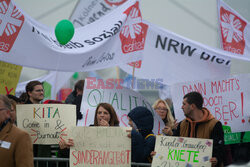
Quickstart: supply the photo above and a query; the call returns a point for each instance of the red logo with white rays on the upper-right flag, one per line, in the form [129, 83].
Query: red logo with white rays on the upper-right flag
[232, 30]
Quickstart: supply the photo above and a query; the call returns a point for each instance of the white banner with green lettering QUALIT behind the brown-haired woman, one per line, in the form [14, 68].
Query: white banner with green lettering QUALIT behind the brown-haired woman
[122, 99]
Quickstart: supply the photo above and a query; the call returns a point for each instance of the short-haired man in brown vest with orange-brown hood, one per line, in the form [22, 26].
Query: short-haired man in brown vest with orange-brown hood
[200, 123]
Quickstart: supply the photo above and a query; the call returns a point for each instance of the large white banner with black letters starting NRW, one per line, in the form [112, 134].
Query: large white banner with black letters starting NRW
[175, 59]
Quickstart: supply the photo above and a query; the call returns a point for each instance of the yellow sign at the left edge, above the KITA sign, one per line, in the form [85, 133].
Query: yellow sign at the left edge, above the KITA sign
[9, 77]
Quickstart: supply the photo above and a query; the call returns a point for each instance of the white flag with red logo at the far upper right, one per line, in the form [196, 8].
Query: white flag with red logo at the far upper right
[234, 30]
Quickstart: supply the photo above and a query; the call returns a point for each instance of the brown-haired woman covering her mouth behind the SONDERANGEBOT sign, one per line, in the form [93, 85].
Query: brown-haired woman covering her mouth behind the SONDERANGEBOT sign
[105, 115]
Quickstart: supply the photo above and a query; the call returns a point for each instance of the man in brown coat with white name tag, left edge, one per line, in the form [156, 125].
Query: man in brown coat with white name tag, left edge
[15, 144]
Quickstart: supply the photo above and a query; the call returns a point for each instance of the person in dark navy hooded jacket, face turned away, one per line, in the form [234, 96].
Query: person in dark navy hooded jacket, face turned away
[142, 138]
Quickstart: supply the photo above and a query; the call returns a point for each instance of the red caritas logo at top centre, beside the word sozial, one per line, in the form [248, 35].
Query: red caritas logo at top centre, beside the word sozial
[133, 33]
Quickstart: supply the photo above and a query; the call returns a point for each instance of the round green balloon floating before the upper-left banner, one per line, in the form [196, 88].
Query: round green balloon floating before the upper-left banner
[64, 31]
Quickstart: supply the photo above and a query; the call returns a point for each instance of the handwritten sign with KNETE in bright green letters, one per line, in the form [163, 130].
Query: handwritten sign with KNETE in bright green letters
[182, 151]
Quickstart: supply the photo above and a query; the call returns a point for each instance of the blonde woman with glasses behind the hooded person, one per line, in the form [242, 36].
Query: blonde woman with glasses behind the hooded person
[163, 110]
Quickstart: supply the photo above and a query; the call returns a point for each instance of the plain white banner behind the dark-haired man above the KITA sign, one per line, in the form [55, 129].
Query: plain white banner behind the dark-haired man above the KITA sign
[56, 80]
